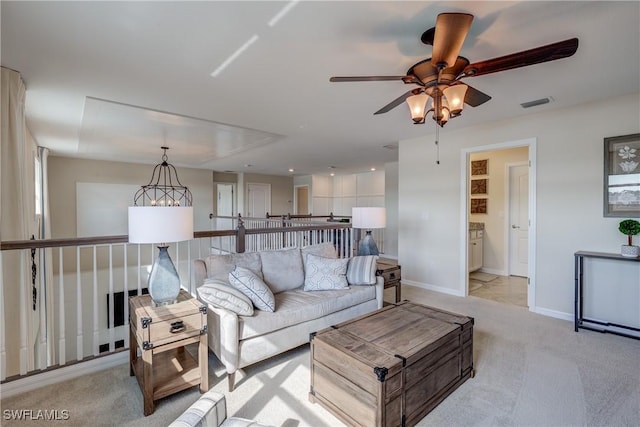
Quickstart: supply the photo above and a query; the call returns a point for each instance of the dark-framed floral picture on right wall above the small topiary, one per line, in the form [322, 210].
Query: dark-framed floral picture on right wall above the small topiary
[622, 176]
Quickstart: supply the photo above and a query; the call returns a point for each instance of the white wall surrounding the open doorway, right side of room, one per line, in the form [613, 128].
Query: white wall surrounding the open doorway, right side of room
[569, 196]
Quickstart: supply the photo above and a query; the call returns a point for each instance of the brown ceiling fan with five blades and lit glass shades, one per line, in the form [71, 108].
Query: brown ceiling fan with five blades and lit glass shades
[439, 77]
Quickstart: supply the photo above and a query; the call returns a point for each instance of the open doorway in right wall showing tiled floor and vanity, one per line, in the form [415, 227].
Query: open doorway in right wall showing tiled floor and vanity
[499, 222]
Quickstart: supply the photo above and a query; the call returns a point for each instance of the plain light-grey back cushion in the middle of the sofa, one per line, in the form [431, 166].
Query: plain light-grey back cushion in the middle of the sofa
[282, 270]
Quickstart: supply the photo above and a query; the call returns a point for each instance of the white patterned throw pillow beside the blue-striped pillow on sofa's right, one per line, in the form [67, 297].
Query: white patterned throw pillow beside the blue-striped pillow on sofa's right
[323, 274]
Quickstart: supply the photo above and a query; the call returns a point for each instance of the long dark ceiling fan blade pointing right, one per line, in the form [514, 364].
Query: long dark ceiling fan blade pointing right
[537, 55]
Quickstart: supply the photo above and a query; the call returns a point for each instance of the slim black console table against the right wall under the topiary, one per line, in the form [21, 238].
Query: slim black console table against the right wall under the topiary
[596, 325]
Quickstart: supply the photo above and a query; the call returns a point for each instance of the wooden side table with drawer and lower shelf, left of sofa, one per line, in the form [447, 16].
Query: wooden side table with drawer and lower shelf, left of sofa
[161, 334]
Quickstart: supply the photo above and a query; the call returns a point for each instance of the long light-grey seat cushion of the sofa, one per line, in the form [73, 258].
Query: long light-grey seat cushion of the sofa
[298, 306]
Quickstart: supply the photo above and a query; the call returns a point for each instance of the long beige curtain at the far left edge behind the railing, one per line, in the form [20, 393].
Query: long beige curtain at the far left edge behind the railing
[20, 322]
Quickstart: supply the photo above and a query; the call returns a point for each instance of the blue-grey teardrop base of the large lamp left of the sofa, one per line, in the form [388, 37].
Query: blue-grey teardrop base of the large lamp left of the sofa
[164, 281]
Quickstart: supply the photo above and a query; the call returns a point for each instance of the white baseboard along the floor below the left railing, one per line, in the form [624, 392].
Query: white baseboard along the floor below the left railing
[54, 376]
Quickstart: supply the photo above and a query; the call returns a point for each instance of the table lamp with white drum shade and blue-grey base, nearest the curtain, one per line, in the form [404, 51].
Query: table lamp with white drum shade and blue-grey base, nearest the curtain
[161, 225]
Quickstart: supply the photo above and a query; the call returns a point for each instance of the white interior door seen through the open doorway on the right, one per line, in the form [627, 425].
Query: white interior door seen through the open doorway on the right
[519, 220]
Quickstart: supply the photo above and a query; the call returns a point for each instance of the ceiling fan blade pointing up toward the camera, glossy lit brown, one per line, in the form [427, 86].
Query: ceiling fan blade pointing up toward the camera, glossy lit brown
[451, 30]
